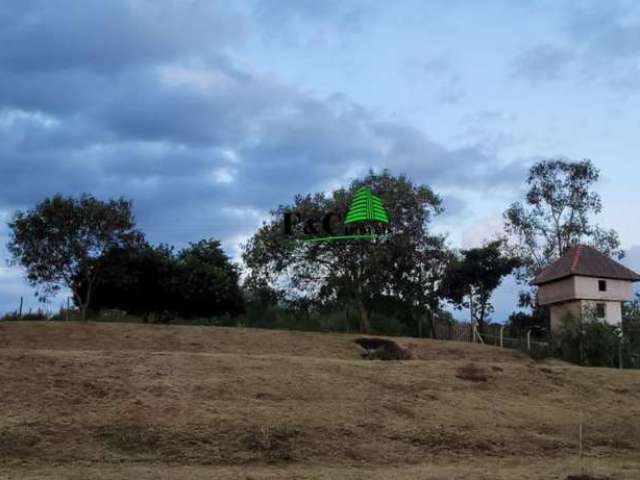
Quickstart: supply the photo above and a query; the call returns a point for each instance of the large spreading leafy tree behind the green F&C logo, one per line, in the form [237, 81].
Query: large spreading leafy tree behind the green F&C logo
[351, 272]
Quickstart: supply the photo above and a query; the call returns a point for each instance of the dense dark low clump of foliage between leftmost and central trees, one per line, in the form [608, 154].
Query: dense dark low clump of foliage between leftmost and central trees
[199, 281]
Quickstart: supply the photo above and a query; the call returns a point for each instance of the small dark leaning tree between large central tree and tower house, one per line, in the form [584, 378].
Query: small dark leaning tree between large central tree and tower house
[471, 279]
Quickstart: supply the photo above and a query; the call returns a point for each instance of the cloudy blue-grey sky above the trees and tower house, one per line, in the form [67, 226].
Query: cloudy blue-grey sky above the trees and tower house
[209, 114]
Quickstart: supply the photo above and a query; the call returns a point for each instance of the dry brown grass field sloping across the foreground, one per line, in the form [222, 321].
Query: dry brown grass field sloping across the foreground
[112, 401]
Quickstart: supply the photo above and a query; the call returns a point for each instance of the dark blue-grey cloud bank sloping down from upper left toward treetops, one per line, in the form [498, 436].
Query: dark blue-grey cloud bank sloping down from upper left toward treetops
[152, 108]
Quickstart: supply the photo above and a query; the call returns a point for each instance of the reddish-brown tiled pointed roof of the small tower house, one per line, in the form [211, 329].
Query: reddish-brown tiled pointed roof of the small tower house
[586, 261]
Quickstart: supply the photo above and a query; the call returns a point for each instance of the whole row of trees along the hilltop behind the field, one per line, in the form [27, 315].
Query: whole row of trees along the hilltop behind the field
[93, 248]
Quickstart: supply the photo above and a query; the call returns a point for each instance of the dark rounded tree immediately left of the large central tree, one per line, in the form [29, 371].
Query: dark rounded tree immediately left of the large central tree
[207, 281]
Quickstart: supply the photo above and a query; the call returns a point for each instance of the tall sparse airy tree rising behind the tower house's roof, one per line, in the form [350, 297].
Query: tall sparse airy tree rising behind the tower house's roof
[556, 215]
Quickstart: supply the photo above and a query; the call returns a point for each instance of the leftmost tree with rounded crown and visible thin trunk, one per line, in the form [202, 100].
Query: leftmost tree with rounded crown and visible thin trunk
[60, 240]
